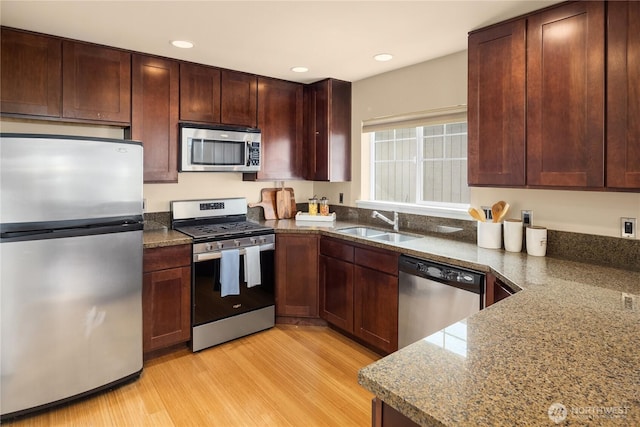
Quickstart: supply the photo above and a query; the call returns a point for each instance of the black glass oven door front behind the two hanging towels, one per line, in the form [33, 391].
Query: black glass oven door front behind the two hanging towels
[209, 306]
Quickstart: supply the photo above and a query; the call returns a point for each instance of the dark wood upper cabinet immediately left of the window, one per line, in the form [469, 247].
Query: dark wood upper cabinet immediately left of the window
[328, 130]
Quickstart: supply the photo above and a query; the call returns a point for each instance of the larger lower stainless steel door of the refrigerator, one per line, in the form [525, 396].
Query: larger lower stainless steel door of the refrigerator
[71, 314]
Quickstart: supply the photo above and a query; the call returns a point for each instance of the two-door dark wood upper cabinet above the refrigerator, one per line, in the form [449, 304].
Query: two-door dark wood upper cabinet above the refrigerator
[46, 76]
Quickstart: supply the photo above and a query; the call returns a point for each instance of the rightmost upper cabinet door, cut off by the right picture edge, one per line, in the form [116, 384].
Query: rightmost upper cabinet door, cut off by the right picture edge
[623, 95]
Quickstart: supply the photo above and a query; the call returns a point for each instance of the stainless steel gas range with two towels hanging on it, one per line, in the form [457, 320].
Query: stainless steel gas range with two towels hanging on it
[232, 274]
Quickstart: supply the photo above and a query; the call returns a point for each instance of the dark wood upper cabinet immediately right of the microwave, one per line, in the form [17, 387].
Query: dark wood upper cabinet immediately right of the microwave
[280, 118]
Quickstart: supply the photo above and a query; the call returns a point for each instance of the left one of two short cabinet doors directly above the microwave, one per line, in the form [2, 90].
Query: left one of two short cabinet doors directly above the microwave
[199, 93]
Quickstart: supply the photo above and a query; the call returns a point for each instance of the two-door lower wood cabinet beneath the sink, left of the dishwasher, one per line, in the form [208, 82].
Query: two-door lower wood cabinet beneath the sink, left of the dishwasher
[359, 291]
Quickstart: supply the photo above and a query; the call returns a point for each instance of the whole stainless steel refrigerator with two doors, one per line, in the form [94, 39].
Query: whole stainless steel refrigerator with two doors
[71, 268]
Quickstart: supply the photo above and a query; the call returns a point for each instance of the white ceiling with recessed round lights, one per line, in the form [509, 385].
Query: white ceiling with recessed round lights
[332, 38]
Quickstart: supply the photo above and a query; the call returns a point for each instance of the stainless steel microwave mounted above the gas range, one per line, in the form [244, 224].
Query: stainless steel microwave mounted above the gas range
[219, 148]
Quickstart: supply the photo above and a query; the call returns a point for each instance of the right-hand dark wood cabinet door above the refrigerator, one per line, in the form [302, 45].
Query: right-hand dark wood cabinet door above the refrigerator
[96, 83]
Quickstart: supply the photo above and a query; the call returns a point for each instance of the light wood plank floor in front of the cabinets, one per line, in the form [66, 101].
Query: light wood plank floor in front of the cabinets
[286, 376]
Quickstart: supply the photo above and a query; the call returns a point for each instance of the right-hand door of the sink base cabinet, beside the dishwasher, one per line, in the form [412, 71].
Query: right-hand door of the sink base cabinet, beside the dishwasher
[376, 308]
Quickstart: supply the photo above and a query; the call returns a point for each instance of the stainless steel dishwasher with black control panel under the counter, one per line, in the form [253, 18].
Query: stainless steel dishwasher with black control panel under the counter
[433, 296]
